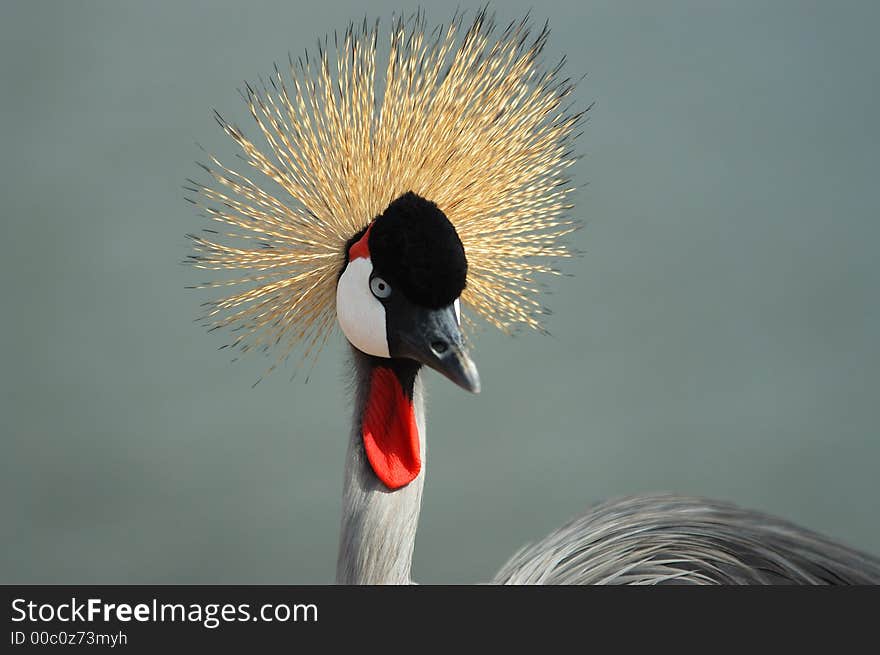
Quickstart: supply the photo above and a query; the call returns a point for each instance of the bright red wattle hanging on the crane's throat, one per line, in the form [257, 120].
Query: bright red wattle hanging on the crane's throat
[390, 433]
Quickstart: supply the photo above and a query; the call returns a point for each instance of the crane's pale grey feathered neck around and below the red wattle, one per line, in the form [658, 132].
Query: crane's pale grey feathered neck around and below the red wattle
[378, 529]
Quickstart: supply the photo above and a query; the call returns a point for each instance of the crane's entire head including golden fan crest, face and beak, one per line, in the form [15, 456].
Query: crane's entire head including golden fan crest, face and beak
[362, 192]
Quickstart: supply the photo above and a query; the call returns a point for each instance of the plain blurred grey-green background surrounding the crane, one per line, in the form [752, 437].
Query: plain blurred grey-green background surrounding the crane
[720, 335]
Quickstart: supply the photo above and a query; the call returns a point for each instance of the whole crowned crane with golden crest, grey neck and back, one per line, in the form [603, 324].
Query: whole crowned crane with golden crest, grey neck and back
[389, 208]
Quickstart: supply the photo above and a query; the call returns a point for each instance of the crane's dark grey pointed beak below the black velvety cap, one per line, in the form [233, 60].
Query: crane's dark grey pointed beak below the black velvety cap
[433, 338]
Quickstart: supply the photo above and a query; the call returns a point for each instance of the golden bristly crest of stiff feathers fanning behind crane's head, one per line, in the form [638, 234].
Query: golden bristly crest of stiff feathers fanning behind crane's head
[468, 120]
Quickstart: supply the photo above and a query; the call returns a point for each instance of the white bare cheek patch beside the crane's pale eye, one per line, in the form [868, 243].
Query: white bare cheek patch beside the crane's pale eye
[360, 314]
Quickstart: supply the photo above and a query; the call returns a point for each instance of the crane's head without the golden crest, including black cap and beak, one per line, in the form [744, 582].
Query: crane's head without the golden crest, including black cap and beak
[398, 294]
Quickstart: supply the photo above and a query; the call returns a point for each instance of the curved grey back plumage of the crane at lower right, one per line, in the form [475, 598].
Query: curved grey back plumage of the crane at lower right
[668, 539]
